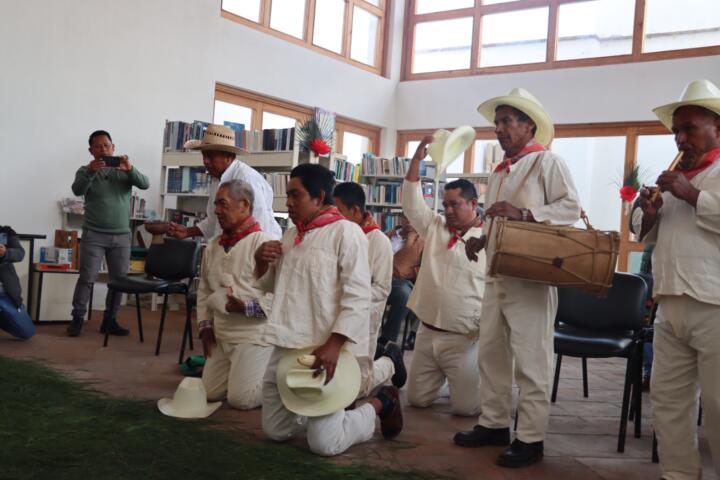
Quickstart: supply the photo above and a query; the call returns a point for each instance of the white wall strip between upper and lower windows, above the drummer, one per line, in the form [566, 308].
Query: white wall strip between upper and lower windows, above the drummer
[625, 92]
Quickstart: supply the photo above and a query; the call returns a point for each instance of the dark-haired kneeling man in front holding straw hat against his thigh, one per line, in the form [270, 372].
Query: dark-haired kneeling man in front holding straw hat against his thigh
[319, 274]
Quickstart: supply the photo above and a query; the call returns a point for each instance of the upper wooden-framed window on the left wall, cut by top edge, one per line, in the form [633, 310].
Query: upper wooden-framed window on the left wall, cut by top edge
[354, 31]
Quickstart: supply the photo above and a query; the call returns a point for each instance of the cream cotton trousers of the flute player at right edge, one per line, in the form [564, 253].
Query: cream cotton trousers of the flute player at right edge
[686, 366]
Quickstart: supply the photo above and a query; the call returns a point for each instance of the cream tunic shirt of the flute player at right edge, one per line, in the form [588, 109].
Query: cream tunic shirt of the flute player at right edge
[686, 258]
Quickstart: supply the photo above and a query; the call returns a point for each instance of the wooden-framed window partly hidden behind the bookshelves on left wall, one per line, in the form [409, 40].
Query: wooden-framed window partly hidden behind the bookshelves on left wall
[256, 112]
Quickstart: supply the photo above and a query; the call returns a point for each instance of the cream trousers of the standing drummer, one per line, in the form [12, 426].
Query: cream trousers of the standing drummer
[517, 324]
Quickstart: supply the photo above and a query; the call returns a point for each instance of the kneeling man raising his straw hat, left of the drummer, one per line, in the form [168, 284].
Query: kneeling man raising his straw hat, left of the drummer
[447, 296]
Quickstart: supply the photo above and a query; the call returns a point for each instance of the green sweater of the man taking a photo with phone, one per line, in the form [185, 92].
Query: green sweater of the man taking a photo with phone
[107, 197]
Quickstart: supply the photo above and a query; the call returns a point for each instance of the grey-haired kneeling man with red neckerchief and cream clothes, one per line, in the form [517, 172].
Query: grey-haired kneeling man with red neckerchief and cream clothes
[231, 311]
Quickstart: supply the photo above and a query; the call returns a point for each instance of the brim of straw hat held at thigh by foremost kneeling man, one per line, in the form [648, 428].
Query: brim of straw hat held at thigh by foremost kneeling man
[346, 389]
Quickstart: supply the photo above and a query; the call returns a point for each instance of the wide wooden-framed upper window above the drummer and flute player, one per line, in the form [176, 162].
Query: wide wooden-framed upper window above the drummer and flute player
[470, 37]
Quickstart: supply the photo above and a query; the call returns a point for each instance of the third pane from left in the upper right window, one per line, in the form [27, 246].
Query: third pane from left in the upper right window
[598, 28]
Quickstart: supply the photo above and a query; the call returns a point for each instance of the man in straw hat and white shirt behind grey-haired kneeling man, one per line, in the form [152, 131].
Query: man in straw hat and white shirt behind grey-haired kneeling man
[219, 152]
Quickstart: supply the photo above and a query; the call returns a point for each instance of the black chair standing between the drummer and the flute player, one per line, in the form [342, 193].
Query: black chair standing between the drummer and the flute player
[591, 327]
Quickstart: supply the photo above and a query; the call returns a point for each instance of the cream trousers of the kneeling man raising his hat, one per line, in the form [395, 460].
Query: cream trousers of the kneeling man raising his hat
[441, 356]
